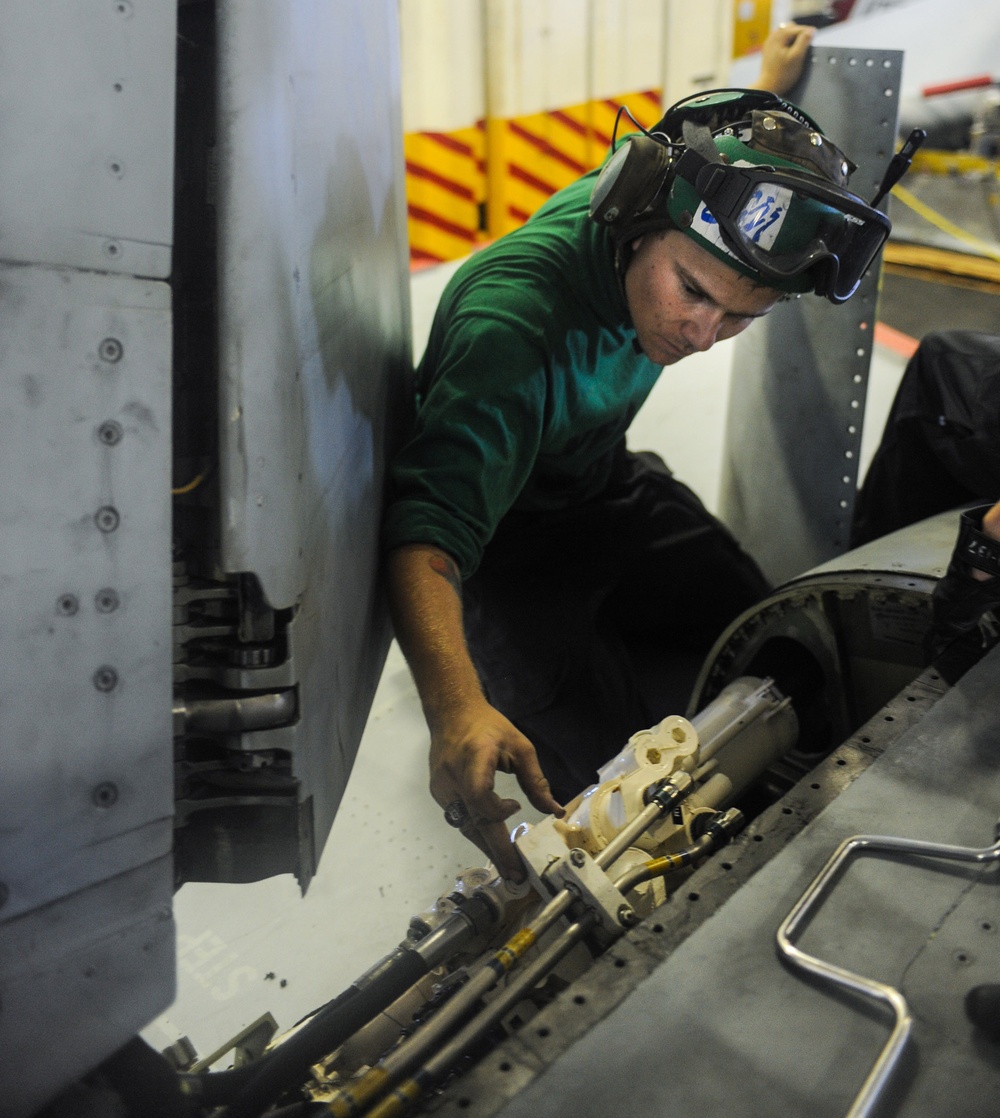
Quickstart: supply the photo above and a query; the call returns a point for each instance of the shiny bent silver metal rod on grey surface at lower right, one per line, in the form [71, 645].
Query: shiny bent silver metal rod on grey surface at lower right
[884, 1067]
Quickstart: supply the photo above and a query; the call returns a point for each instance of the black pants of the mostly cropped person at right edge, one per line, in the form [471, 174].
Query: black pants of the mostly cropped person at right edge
[941, 448]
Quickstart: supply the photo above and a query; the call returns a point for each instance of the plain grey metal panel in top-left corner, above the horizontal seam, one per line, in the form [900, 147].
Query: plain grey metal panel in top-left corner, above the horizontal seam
[87, 132]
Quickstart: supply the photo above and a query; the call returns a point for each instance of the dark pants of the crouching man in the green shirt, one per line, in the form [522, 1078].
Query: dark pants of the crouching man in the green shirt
[588, 624]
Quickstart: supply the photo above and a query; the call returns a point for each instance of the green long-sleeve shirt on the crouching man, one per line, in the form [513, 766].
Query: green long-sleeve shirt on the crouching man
[530, 380]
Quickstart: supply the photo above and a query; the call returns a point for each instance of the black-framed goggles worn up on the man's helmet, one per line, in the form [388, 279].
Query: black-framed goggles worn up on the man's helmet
[750, 204]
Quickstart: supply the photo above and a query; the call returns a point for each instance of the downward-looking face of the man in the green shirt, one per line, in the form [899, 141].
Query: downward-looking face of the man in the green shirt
[683, 299]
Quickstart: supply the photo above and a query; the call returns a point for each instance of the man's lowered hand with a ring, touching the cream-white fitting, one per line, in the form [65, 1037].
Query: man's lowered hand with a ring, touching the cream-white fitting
[466, 755]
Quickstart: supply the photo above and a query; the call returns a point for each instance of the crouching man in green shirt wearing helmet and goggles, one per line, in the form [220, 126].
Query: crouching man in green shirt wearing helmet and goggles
[532, 560]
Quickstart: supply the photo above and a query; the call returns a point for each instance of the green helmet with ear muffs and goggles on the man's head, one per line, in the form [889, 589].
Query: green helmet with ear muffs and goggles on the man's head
[753, 181]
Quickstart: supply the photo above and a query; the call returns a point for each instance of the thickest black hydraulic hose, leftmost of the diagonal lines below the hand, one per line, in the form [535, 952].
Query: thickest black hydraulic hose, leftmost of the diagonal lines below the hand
[252, 1089]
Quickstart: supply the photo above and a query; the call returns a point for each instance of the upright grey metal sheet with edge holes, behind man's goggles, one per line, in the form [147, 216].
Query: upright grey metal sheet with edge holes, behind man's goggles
[800, 377]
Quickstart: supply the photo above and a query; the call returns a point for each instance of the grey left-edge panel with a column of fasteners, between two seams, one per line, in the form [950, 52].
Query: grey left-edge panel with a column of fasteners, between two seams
[84, 579]
